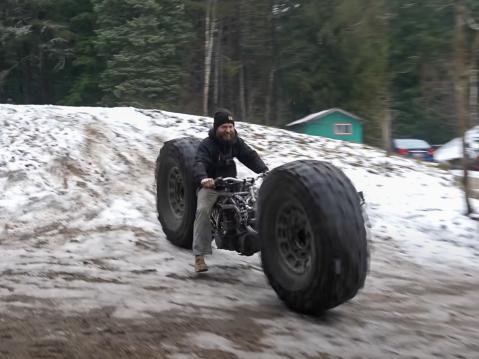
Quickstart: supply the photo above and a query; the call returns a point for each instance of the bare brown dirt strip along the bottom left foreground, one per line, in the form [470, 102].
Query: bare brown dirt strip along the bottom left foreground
[29, 333]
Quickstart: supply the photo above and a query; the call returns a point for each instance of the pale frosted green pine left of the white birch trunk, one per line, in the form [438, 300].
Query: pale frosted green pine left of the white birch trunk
[141, 43]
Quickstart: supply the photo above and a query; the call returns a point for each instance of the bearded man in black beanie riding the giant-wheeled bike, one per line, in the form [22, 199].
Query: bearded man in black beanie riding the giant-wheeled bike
[215, 158]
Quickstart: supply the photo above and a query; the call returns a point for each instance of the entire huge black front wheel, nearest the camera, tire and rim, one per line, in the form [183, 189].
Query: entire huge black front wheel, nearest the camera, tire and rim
[313, 238]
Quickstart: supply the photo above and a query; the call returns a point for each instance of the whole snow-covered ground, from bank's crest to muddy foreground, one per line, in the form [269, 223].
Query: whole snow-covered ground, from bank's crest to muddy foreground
[86, 272]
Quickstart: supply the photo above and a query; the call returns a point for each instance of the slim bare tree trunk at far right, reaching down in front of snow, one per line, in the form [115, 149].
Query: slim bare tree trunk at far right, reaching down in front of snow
[460, 90]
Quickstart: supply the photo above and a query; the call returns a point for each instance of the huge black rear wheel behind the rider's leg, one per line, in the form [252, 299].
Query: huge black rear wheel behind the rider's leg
[175, 190]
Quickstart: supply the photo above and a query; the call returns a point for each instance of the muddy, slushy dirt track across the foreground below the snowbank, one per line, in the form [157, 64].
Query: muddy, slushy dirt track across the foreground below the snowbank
[133, 307]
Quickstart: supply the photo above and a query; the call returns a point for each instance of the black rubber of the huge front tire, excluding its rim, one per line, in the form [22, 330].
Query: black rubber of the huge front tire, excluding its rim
[333, 206]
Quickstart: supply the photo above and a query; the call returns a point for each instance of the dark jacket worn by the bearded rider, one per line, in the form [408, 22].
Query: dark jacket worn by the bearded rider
[215, 159]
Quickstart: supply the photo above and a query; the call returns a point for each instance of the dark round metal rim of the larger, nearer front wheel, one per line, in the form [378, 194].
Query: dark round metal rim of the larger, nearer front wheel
[294, 238]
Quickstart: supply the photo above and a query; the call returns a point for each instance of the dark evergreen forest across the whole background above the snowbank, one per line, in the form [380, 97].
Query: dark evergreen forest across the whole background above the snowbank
[393, 63]
